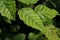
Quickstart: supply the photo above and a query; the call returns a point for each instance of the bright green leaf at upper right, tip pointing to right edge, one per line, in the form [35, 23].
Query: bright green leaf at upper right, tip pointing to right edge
[44, 10]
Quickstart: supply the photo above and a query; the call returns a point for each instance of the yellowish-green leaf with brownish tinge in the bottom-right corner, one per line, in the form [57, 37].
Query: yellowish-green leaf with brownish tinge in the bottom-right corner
[51, 32]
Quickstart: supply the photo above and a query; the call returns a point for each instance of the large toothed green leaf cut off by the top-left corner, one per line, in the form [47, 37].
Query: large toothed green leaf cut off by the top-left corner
[8, 9]
